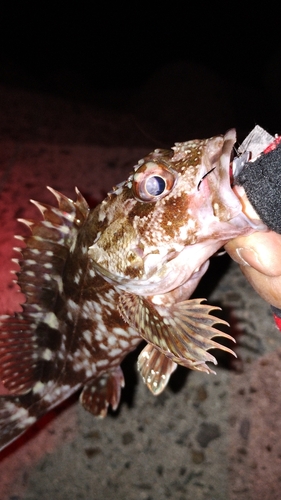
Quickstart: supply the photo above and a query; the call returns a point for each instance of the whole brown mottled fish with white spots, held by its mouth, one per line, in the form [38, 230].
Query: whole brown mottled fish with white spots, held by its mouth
[97, 282]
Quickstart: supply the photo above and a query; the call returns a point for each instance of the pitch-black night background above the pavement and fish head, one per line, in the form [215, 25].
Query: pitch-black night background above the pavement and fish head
[146, 59]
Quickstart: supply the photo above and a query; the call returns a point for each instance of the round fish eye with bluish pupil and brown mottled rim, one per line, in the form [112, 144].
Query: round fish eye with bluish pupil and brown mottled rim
[152, 181]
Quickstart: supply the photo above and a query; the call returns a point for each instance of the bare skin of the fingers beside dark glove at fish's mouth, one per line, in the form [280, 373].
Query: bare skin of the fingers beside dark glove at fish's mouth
[259, 257]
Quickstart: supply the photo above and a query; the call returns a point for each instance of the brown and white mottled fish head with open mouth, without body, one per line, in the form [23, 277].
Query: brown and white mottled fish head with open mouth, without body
[174, 211]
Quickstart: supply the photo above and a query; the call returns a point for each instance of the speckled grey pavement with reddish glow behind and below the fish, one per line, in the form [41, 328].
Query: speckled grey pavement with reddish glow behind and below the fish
[206, 437]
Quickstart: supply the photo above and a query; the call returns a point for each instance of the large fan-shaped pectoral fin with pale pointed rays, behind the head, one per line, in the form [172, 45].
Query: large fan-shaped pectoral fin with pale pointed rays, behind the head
[183, 332]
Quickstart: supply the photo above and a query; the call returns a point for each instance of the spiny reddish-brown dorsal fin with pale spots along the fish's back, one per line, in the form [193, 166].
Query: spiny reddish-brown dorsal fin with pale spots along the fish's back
[29, 341]
